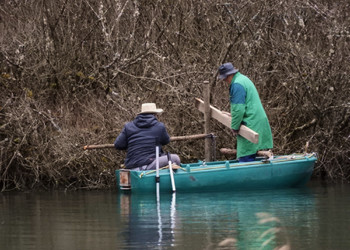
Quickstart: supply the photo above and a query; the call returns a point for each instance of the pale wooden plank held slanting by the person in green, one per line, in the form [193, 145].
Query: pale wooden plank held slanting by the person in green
[225, 119]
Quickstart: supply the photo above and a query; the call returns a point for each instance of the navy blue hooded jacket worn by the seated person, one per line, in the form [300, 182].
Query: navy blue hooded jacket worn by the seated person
[139, 137]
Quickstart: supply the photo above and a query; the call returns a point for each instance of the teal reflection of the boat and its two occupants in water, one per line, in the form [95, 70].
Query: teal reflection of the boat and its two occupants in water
[245, 220]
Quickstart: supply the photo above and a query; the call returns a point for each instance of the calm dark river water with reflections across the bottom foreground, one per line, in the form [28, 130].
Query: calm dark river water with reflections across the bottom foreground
[315, 217]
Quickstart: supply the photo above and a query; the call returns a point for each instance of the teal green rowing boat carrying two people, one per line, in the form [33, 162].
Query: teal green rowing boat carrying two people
[280, 172]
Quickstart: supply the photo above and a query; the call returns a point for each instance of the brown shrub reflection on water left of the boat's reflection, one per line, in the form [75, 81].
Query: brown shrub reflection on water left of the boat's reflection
[57, 220]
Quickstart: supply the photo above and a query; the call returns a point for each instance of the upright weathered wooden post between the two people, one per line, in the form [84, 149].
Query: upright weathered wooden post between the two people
[207, 151]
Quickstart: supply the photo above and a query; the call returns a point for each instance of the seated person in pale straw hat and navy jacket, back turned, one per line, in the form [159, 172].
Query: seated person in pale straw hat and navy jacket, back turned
[140, 137]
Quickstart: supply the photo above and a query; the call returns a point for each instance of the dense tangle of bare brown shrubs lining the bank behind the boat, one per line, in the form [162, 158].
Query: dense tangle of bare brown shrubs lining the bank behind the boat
[73, 72]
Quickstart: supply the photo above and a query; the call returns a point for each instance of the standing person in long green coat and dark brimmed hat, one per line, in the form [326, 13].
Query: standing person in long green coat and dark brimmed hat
[246, 108]
